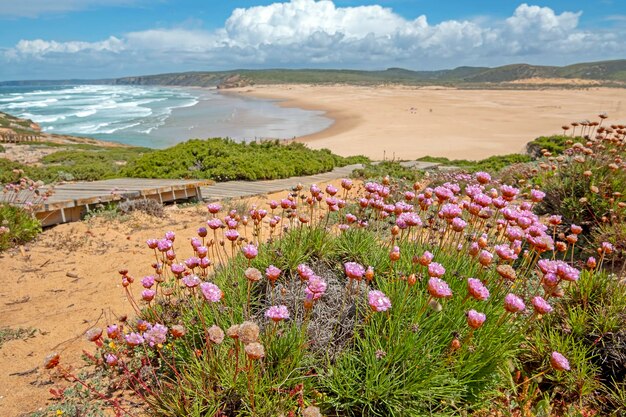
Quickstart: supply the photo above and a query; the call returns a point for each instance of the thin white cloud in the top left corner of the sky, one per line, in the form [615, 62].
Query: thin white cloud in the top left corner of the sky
[34, 8]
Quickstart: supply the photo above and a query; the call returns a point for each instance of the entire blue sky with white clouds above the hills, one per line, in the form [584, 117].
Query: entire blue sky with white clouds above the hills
[90, 39]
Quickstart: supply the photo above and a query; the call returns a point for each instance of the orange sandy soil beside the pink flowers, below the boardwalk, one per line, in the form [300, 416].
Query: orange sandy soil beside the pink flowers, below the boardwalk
[66, 282]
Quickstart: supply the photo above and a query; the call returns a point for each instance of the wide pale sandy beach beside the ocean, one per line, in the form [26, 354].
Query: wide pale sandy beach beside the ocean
[408, 122]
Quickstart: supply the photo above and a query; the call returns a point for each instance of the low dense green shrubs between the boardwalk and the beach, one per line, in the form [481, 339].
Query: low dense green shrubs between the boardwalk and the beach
[224, 160]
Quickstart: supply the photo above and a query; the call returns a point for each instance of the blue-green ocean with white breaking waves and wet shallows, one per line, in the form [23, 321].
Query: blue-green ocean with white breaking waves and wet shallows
[156, 117]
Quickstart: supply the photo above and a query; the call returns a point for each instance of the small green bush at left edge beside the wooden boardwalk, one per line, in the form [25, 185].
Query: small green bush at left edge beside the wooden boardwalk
[22, 226]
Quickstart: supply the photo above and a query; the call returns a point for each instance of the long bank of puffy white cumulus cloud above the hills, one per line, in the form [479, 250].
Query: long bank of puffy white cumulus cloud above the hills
[301, 33]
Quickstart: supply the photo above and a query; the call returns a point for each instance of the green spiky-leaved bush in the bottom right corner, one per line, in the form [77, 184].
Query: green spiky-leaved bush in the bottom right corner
[593, 309]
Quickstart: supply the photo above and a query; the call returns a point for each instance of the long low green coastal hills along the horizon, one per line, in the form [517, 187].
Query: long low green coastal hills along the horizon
[603, 72]
